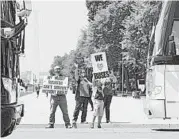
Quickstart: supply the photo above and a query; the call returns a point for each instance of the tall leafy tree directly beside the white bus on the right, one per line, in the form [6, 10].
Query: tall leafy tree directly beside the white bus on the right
[137, 33]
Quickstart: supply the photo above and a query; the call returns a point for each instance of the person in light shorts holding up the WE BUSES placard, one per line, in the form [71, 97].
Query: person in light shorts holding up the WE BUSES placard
[98, 105]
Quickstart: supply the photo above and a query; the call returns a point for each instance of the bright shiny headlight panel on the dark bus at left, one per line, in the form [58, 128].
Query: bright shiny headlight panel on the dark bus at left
[11, 90]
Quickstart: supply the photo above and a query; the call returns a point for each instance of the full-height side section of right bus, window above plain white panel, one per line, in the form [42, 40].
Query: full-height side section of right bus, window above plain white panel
[172, 69]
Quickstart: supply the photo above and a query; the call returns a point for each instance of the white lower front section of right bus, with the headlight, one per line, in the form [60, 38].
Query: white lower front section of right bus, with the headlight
[155, 100]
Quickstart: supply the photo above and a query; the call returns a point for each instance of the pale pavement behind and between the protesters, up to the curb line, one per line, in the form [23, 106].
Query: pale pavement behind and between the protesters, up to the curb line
[124, 111]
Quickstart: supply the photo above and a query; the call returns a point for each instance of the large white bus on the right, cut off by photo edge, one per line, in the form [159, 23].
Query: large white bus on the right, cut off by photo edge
[162, 78]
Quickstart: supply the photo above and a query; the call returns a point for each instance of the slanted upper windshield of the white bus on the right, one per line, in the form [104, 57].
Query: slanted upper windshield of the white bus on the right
[164, 28]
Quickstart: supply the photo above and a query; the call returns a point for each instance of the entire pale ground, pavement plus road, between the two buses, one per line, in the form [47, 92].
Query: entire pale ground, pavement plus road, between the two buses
[127, 116]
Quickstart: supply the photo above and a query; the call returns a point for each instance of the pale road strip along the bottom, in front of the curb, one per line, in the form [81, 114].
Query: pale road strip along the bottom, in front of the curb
[86, 133]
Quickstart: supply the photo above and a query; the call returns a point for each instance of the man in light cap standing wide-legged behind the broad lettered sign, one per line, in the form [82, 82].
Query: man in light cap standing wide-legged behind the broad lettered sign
[58, 100]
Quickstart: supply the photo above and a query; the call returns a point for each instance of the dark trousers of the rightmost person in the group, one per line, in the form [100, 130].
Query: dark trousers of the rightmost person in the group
[107, 103]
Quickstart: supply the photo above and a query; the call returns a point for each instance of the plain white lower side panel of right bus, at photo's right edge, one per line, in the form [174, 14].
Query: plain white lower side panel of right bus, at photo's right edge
[172, 91]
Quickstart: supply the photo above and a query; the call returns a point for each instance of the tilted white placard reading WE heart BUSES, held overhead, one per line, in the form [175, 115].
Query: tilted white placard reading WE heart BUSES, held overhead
[99, 64]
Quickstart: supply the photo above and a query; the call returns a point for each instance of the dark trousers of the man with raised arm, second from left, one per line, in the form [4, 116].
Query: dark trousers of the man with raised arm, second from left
[81, 102]
